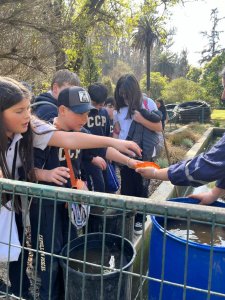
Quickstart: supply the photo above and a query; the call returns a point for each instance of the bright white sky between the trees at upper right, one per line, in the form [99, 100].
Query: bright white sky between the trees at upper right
[189, 21]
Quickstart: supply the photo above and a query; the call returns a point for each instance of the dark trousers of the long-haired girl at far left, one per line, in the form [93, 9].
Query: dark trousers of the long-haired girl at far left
[17, 280]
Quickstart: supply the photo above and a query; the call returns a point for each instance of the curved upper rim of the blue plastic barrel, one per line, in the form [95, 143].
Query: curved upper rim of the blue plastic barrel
[191, 243]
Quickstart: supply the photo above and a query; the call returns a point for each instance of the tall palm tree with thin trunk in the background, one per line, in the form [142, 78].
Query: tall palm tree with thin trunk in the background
[144, 37]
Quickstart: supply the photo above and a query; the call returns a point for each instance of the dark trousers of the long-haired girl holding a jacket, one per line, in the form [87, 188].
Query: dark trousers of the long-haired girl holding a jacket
[133, 184]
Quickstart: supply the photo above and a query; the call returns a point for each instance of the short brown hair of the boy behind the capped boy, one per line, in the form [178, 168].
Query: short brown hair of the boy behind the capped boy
[65, 76]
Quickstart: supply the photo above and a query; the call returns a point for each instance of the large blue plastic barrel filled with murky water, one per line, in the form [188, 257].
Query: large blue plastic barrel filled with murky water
[198, 265]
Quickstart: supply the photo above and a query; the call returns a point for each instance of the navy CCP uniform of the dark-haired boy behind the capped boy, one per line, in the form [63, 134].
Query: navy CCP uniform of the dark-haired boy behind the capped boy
[99, 124]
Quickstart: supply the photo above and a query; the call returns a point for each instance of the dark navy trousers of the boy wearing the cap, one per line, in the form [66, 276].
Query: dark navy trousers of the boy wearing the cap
[52, 235]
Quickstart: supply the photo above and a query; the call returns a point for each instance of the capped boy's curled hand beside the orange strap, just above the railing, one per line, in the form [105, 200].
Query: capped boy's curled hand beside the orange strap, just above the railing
[58, 175]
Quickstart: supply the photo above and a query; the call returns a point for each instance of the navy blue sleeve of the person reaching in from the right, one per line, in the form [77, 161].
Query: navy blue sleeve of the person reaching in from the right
[204, 168]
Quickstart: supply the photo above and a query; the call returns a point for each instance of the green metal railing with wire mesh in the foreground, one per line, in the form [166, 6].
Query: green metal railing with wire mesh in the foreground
[125, 204]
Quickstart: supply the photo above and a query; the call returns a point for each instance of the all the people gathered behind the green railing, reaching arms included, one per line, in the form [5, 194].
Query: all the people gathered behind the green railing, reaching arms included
[33, 150]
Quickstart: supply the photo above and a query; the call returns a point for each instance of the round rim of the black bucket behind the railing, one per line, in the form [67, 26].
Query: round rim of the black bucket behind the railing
[106, 275]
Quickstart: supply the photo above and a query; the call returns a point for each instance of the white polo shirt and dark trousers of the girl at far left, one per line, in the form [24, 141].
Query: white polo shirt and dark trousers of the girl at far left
[39, 141]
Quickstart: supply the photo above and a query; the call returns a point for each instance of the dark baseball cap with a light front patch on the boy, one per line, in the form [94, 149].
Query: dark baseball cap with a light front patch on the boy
[76, 99]
